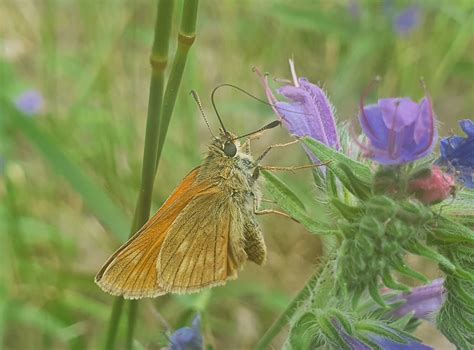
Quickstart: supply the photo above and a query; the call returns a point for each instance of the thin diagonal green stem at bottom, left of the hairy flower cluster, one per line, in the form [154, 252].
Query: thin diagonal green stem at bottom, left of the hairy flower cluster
[283, 319]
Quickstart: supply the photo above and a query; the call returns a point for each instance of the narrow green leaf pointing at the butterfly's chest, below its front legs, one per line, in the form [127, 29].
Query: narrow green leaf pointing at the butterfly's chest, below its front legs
[290, 203]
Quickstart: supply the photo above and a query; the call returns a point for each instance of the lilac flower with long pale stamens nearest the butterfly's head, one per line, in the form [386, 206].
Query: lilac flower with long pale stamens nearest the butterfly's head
[309, 112]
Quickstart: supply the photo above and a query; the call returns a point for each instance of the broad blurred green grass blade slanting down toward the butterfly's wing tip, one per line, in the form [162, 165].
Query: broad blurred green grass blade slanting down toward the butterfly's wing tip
[96, 199]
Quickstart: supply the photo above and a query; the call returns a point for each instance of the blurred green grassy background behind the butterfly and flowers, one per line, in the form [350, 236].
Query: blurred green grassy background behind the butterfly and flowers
[69, 173]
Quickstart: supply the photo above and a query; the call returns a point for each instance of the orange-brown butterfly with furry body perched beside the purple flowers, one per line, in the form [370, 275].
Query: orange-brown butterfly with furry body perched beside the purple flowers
[203, 233]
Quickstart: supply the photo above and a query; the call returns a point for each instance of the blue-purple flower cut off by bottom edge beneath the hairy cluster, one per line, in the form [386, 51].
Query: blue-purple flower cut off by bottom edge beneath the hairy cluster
[354, 343]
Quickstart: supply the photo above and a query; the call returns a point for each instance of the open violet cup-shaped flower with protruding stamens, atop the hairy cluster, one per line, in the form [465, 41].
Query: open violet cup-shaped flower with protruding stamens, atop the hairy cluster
[399, 130]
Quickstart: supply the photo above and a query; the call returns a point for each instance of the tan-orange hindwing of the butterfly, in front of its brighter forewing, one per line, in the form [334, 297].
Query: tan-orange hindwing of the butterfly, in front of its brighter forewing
[204, 247]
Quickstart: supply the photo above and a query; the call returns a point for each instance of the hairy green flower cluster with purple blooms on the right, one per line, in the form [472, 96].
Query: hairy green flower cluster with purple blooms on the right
[386, 206]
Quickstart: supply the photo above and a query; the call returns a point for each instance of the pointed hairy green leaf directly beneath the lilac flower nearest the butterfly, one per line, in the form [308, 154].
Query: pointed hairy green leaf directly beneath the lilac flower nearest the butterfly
[334, 159]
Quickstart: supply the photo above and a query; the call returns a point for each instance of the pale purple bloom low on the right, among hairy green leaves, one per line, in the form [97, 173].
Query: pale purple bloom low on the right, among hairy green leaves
[424, 302]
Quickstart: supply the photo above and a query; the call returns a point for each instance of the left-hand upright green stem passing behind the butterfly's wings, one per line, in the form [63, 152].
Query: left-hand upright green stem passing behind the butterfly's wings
[159, 58]
